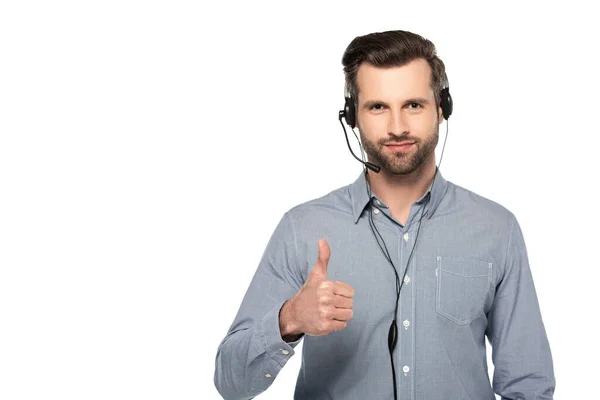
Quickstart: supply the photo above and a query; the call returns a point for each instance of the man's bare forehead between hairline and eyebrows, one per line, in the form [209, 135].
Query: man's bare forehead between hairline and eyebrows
[412, 79]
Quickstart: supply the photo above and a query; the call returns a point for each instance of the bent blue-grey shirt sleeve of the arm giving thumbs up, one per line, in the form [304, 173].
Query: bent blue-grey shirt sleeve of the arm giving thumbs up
[253, 352]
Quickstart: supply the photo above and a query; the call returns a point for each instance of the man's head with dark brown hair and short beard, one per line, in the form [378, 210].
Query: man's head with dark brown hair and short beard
[395, 79]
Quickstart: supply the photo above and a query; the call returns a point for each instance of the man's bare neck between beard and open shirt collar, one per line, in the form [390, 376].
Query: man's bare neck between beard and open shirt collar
[399, 192]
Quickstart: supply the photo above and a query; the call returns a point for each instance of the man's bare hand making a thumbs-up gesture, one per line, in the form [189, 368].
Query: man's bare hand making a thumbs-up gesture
[321, 306]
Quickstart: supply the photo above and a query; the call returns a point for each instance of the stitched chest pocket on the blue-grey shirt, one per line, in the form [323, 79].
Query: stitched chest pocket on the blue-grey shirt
[462, 286]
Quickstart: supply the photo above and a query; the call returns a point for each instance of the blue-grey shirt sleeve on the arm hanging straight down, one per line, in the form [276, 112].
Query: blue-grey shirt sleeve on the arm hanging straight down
[523, 368]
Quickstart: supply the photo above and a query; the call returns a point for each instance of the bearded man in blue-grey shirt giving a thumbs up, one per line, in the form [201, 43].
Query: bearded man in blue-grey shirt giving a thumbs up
[325, 277]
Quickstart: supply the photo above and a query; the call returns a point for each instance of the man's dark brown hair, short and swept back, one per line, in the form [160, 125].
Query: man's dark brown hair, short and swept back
[392, 49]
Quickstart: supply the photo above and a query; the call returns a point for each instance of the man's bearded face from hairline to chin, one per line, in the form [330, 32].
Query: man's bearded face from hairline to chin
[397, 105]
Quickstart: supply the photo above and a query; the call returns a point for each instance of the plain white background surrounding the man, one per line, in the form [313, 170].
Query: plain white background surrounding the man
[148, 150]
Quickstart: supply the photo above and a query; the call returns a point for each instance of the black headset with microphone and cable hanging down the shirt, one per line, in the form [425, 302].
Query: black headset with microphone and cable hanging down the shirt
[349, 114]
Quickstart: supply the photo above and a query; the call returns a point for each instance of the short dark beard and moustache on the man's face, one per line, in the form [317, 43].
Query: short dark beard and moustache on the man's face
[401, 163]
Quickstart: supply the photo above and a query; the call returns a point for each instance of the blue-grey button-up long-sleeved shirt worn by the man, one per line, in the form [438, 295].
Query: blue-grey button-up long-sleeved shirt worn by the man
[469, 278]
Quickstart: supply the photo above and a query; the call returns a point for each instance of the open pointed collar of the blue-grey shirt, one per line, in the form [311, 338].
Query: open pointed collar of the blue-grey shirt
[359, 196]
